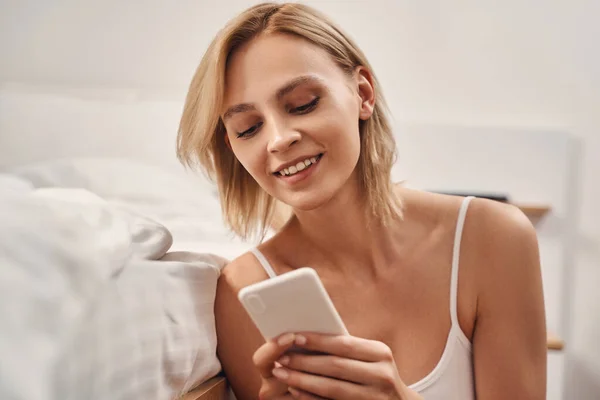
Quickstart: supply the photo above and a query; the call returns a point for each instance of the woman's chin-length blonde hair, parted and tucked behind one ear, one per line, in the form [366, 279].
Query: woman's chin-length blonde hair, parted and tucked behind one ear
[247, 208]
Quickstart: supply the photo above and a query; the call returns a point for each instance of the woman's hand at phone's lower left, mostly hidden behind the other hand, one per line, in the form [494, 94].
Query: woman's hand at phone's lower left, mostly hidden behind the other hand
[265, 360]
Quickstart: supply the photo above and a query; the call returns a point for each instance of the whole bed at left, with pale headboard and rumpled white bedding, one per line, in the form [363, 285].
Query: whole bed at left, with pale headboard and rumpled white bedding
[110, 251]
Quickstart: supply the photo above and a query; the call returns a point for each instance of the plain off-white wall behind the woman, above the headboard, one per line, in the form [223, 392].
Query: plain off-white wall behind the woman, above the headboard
[508, 63]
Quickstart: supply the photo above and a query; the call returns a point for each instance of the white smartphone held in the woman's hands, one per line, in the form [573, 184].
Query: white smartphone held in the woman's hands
[292, 302]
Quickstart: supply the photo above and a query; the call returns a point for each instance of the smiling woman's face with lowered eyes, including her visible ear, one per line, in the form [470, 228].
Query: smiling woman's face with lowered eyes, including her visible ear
[292, 118]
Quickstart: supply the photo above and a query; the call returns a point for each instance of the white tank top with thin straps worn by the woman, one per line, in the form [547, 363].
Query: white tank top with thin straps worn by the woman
[452, 377]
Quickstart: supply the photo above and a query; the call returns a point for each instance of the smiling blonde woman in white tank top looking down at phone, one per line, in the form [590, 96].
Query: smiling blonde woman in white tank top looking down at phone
[284, 107]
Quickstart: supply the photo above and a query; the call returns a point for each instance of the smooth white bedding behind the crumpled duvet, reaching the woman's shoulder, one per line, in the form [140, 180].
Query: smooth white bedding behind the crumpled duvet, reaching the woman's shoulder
[186, 204]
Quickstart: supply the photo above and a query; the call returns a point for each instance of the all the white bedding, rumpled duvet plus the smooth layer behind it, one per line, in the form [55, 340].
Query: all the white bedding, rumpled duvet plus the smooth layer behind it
[109, 271]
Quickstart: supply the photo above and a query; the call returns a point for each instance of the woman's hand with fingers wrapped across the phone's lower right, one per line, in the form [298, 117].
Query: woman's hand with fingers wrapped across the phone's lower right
[351, 368]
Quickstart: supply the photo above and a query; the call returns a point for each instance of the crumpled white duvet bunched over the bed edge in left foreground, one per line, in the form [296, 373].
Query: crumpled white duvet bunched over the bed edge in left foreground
[83, 319]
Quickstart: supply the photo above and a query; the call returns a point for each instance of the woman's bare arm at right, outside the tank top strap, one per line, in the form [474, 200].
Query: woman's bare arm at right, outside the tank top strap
[509, 341]
